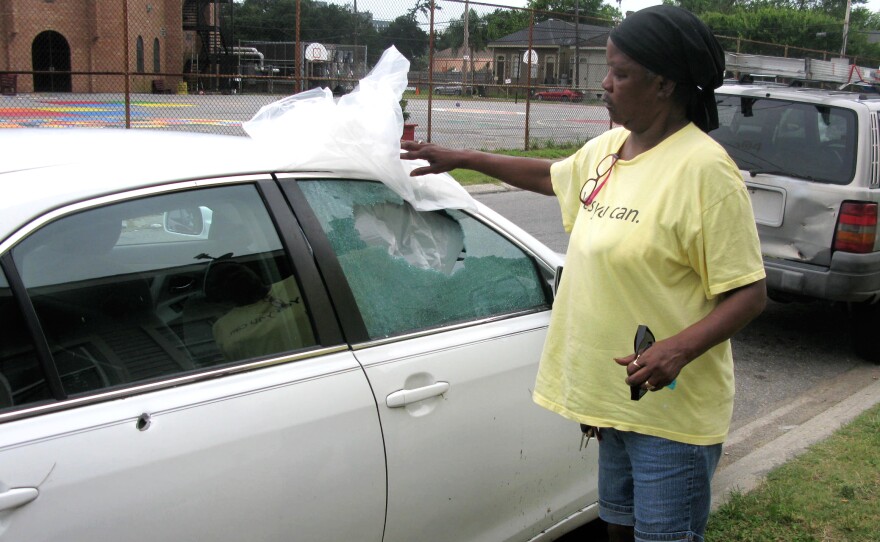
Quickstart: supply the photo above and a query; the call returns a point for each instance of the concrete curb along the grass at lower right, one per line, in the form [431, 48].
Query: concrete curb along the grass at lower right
[848, 395]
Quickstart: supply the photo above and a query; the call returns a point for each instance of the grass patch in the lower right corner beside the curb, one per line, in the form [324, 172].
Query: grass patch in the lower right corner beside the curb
[829, 494]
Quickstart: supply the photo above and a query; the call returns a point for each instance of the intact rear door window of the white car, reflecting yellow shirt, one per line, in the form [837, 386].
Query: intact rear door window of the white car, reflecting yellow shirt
[131, 292]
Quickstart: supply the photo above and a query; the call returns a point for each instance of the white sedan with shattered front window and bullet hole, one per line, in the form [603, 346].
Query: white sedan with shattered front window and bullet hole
[196, 347]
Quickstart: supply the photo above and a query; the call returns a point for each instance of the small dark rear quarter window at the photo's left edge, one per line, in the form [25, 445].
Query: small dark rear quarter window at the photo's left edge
[22, 381]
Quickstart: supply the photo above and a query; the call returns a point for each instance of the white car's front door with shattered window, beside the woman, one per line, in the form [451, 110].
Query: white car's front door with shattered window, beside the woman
[454, 317]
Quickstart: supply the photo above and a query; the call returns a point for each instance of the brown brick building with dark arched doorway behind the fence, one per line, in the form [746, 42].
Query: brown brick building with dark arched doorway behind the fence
[80, 45]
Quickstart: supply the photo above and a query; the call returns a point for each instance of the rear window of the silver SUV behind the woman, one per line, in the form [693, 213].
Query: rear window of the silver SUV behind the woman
[807, 141]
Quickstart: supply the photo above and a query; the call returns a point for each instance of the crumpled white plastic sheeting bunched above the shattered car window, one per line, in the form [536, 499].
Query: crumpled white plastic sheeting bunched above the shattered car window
[359, 132]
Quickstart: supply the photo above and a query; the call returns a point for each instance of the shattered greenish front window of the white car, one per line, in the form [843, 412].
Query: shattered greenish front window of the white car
[411, 270]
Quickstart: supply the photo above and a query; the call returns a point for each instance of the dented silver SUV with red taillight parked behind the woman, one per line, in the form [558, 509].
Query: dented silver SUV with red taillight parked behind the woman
[811, 160]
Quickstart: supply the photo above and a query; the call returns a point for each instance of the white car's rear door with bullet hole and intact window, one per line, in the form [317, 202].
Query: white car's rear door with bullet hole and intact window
[180, 380]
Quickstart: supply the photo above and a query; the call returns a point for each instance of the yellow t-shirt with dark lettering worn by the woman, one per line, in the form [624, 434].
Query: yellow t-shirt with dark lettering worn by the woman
[670, 230]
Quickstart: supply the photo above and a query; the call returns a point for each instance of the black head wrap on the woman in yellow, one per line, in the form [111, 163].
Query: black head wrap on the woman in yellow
[674, 43]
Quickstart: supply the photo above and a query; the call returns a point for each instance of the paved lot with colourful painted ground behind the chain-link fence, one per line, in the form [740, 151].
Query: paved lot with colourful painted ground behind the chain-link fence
[465, 123]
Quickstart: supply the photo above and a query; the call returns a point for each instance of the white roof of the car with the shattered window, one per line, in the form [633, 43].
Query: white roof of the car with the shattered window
[44, 169]
